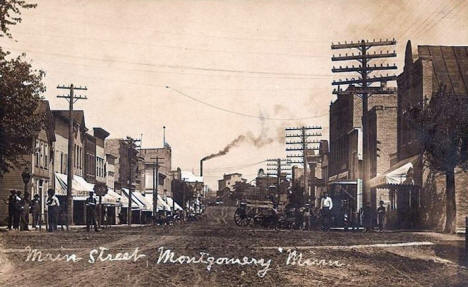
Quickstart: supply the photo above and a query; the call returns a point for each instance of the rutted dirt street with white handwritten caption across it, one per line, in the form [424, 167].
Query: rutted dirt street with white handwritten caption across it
[215, 252]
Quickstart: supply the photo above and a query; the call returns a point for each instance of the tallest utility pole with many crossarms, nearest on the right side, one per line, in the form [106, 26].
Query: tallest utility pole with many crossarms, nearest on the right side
[364, 82]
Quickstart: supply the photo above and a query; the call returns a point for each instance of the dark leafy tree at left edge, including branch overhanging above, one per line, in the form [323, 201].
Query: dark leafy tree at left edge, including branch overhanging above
[20, 90]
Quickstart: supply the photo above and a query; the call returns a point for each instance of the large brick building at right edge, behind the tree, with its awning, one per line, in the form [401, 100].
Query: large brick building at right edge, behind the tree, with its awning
[415, 193]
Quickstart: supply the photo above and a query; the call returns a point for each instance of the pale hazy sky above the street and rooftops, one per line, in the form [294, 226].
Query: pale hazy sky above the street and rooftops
[233, 68]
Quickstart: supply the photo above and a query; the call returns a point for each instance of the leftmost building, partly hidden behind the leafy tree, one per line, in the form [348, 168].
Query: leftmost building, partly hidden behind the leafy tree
[40, 165]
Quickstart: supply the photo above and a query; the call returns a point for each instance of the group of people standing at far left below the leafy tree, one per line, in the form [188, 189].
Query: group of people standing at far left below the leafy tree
[19, 208]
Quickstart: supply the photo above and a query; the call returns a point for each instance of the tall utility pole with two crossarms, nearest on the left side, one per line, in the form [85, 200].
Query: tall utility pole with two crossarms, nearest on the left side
[71, 98]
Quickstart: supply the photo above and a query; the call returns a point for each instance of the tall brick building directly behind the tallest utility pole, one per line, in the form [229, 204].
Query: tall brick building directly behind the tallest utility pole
[346, 139]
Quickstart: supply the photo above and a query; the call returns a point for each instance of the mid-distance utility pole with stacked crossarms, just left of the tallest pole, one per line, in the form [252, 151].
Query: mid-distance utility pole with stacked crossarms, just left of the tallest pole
[300, 142]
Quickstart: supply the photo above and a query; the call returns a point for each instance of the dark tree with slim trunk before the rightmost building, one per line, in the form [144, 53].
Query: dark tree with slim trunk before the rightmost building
[444, 138]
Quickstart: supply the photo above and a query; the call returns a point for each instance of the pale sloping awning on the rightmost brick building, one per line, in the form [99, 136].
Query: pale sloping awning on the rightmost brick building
[401, 174]
